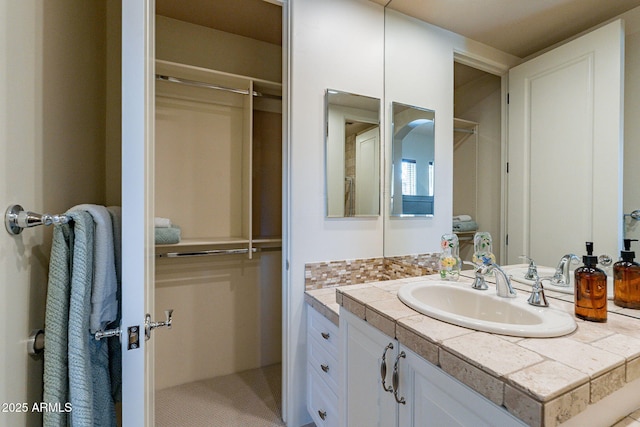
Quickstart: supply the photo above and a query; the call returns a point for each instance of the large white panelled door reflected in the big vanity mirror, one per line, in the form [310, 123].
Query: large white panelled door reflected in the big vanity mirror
[565, 149]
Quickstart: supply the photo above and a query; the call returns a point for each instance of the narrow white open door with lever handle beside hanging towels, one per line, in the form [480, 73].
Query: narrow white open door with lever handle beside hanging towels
[137, 208]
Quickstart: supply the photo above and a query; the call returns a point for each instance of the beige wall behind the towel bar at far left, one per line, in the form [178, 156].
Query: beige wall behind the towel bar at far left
[52, 144]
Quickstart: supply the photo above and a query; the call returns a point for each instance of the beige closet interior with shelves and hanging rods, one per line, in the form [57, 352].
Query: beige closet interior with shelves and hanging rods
[218, 176]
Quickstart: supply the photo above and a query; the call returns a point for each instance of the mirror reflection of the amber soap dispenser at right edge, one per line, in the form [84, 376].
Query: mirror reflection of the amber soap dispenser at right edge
[626, 278]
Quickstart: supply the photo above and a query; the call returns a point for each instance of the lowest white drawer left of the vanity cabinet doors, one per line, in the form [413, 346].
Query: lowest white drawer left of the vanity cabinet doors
[322, 403]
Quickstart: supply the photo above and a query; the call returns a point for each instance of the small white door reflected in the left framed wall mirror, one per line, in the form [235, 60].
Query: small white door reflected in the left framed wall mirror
[368, 172]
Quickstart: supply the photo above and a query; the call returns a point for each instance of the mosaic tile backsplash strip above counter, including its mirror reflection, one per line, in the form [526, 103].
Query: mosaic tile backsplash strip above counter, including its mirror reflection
[351, 272]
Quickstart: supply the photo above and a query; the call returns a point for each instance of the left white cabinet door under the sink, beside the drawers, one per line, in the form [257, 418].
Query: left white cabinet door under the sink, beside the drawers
[365, 402]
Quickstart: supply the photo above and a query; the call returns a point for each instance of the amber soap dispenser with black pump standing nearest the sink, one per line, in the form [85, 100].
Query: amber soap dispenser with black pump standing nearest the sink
[591, 289]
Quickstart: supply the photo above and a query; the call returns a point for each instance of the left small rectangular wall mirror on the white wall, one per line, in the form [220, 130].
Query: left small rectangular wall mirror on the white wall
[352, 154]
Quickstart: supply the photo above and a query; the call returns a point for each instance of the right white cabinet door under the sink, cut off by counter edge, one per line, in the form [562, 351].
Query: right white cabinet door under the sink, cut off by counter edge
[434, 398]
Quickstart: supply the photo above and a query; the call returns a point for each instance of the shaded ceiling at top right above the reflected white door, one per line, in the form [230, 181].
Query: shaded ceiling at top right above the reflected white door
[518, 27]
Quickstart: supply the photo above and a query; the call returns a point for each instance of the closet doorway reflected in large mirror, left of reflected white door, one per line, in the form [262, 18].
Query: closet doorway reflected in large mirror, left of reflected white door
[477, 156]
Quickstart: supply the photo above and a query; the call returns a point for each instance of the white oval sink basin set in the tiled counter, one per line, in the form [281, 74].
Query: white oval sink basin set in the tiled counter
[460, 305]
